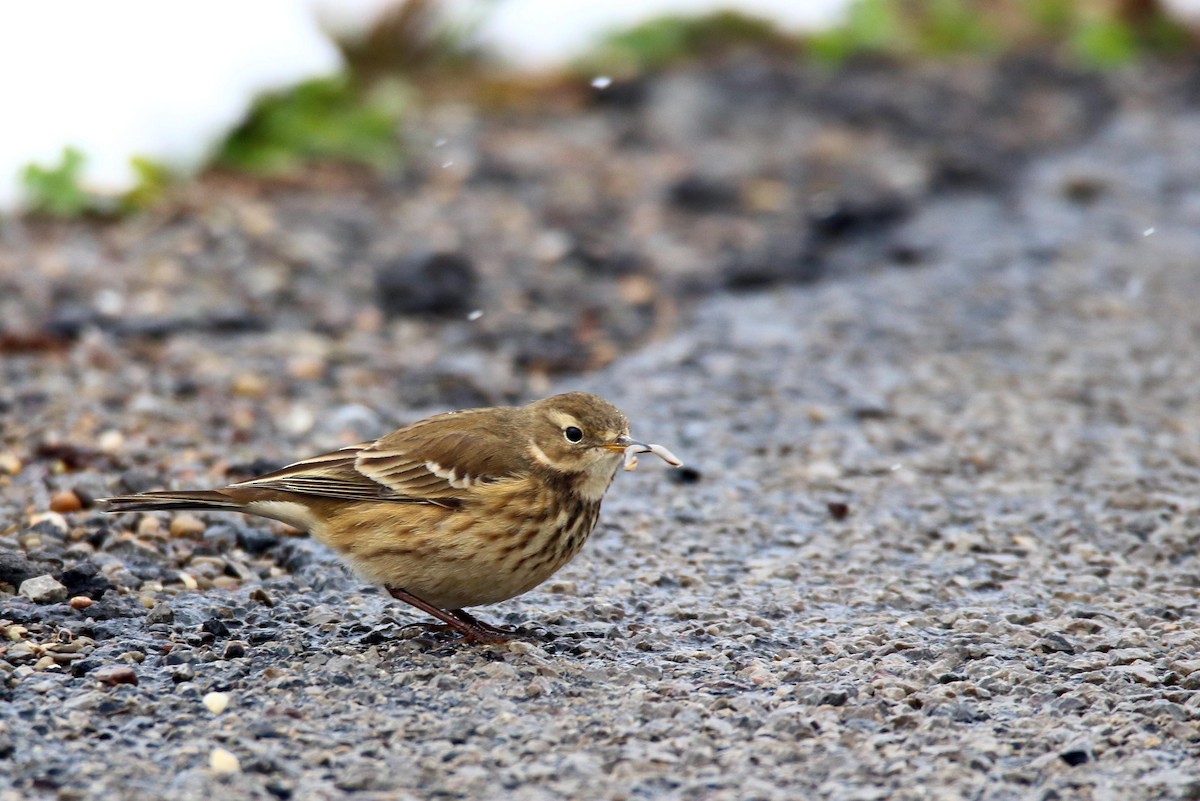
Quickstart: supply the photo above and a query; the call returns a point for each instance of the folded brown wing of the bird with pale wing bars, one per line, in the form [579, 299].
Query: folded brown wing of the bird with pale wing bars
[436, 461]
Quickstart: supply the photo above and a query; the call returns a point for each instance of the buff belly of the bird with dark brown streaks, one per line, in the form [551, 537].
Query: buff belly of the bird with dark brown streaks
[466, 558]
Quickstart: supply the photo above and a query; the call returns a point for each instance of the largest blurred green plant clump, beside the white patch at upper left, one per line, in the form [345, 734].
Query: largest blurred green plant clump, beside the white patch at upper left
[331, 119]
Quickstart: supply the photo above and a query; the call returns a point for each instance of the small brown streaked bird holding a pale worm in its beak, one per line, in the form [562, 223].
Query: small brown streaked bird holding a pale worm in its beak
[459, 510]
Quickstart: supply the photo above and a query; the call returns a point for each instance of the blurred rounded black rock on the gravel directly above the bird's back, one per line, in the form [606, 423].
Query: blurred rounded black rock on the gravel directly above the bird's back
[439, 284]
